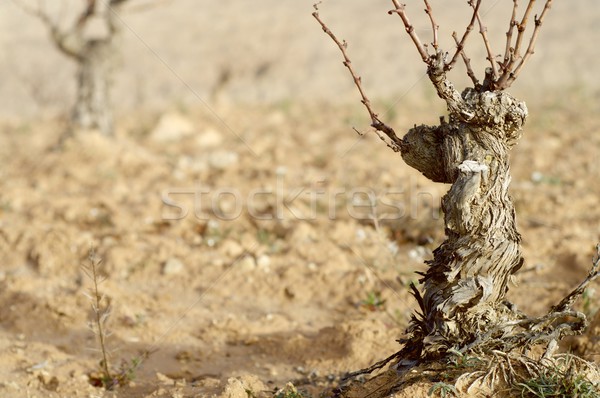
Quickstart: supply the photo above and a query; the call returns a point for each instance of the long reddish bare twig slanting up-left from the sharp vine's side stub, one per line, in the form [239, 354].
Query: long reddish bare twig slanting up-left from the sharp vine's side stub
[396, 143]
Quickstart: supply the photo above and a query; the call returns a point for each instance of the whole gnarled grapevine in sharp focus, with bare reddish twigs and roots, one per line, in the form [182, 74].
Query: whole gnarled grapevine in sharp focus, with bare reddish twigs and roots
[462, 303]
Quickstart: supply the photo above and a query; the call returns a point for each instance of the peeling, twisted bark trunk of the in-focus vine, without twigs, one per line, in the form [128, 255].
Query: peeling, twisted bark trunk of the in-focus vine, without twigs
[466, 282]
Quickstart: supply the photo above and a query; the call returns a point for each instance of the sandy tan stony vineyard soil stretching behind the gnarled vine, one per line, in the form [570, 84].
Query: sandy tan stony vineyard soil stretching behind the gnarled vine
[243, 245]
